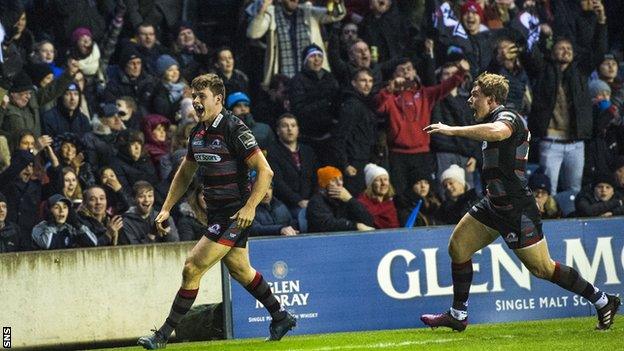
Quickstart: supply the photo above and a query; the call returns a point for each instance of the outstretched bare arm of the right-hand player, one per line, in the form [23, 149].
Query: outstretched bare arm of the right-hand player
[495, 131]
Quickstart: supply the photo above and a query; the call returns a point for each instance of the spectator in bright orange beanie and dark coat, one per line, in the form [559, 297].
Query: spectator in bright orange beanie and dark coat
[333, 208]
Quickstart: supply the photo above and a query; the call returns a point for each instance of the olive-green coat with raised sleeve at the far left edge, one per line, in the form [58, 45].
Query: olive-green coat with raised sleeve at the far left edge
[17, 119]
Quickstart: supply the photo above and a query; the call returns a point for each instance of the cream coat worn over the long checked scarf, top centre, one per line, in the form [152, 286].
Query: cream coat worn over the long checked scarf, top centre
[265, 24]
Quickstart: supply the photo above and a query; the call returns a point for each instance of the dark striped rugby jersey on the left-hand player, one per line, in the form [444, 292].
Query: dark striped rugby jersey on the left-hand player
[221, 149]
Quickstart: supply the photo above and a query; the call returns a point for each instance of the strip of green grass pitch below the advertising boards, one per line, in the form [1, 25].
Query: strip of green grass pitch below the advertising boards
[555, 334]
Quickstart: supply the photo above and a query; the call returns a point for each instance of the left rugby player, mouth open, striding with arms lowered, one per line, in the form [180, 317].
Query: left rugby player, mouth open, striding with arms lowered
[221, 150]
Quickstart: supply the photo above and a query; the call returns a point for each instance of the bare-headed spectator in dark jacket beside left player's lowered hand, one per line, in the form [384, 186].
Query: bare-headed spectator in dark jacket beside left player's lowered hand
[139, 222]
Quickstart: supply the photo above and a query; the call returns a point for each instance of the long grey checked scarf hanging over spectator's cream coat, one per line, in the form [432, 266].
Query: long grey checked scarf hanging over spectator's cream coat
[289, 50]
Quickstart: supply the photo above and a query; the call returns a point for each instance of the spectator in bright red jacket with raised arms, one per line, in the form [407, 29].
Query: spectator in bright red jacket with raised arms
[408, 106]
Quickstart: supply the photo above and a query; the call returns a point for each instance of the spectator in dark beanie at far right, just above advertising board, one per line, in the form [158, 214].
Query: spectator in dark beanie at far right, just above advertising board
[601, 199]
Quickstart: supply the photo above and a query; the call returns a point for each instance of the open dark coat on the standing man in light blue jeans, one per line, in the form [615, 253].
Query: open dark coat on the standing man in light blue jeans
[547, 77]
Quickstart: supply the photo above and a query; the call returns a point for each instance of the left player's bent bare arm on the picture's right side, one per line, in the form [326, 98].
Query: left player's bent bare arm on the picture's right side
[264, 175]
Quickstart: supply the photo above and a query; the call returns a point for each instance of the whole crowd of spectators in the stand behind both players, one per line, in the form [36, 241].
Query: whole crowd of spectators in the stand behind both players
[96, 110]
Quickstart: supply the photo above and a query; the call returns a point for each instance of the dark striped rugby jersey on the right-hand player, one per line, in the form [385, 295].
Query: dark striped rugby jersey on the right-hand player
[504, 162]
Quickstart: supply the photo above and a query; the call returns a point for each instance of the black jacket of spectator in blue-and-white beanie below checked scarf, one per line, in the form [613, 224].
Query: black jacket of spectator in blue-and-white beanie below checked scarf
[313, 98]
